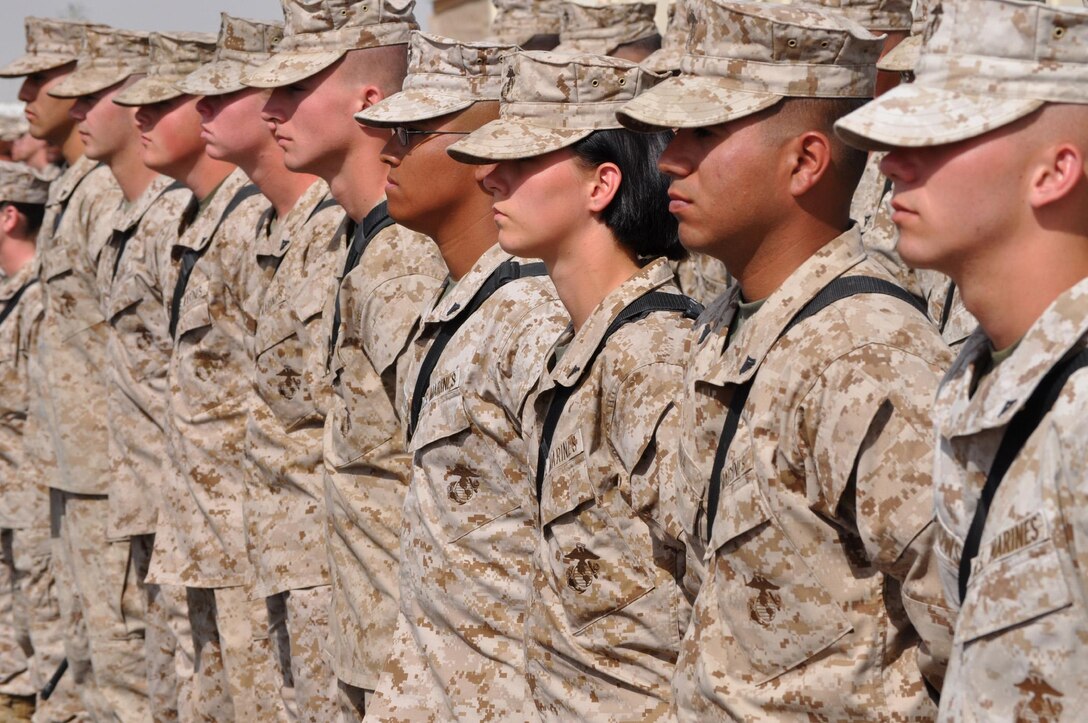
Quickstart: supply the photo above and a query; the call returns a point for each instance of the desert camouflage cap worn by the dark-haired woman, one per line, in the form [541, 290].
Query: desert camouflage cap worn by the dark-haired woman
[552, 101]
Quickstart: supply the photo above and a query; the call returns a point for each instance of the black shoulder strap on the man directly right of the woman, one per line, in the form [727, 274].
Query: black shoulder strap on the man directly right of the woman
[843, 288]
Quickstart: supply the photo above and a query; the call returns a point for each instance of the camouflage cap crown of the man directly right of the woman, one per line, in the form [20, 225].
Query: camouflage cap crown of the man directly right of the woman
[787, 51]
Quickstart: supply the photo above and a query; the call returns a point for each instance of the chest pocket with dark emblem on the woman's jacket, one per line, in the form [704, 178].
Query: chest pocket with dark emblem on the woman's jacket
[592, 564]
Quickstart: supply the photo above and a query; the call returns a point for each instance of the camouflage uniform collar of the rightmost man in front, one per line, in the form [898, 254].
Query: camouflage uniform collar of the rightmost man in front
[1005, 391]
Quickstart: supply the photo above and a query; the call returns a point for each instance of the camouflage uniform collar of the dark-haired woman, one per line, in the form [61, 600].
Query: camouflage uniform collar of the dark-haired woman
[577, 359]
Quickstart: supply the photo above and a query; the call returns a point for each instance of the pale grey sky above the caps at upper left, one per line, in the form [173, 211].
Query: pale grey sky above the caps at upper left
[134, 15]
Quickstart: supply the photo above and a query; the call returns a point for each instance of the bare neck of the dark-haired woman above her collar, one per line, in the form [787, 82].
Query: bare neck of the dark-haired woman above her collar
[588, 269]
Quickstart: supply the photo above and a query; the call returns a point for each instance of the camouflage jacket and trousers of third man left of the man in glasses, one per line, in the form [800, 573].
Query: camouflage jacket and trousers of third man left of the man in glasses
[201, 540]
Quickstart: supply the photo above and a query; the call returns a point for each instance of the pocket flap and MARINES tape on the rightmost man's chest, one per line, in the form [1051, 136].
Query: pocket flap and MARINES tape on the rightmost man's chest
[1016, 589]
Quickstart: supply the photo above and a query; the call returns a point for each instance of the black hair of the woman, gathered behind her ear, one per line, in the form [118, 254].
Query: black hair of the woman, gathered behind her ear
[639, 214]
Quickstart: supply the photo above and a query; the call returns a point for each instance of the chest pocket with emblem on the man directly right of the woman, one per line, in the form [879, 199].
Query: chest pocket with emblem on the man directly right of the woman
[778, 612]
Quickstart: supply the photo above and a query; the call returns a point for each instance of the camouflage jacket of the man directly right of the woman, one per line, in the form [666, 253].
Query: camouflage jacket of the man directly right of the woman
[819, 579]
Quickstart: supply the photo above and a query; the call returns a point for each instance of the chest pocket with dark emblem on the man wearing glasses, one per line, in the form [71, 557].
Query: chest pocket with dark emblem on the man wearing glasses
[466, 494]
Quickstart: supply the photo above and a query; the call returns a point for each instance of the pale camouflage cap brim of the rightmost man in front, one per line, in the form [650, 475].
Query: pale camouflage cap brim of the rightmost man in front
[914, 116]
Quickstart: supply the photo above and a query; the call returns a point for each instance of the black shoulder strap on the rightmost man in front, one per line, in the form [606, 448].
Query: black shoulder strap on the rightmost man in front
[1017, 435]
